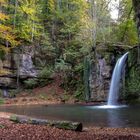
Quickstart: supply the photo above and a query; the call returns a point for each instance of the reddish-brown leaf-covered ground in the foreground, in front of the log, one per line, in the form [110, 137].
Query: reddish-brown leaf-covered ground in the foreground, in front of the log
[13, 131]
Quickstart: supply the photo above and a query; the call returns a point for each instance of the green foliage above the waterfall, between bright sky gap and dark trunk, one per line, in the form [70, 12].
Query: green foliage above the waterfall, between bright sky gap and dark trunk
[124, 30]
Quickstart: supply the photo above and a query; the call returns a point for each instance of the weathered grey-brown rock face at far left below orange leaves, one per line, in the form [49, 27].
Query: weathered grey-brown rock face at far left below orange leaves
[17, 64]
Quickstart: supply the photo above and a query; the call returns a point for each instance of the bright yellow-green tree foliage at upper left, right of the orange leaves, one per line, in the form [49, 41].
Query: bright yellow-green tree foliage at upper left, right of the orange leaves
[26, 20]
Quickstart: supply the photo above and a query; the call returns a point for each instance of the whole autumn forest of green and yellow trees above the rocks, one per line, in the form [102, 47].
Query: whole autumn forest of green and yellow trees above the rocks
[64, 32]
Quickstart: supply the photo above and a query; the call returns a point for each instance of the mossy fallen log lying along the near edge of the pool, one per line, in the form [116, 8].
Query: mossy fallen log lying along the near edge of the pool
[75, 126]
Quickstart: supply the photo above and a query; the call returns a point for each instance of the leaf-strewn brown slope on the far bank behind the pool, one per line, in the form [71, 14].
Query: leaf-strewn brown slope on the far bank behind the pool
[50, 94]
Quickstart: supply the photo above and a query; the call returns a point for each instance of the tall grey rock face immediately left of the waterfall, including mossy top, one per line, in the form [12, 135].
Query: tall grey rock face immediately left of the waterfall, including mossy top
[101, 72]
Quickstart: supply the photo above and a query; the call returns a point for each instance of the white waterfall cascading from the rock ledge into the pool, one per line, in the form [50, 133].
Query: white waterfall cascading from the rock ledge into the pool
[115, 81]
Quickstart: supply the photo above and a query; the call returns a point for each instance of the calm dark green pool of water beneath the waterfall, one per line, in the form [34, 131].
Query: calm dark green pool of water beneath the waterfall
[128, 116]
